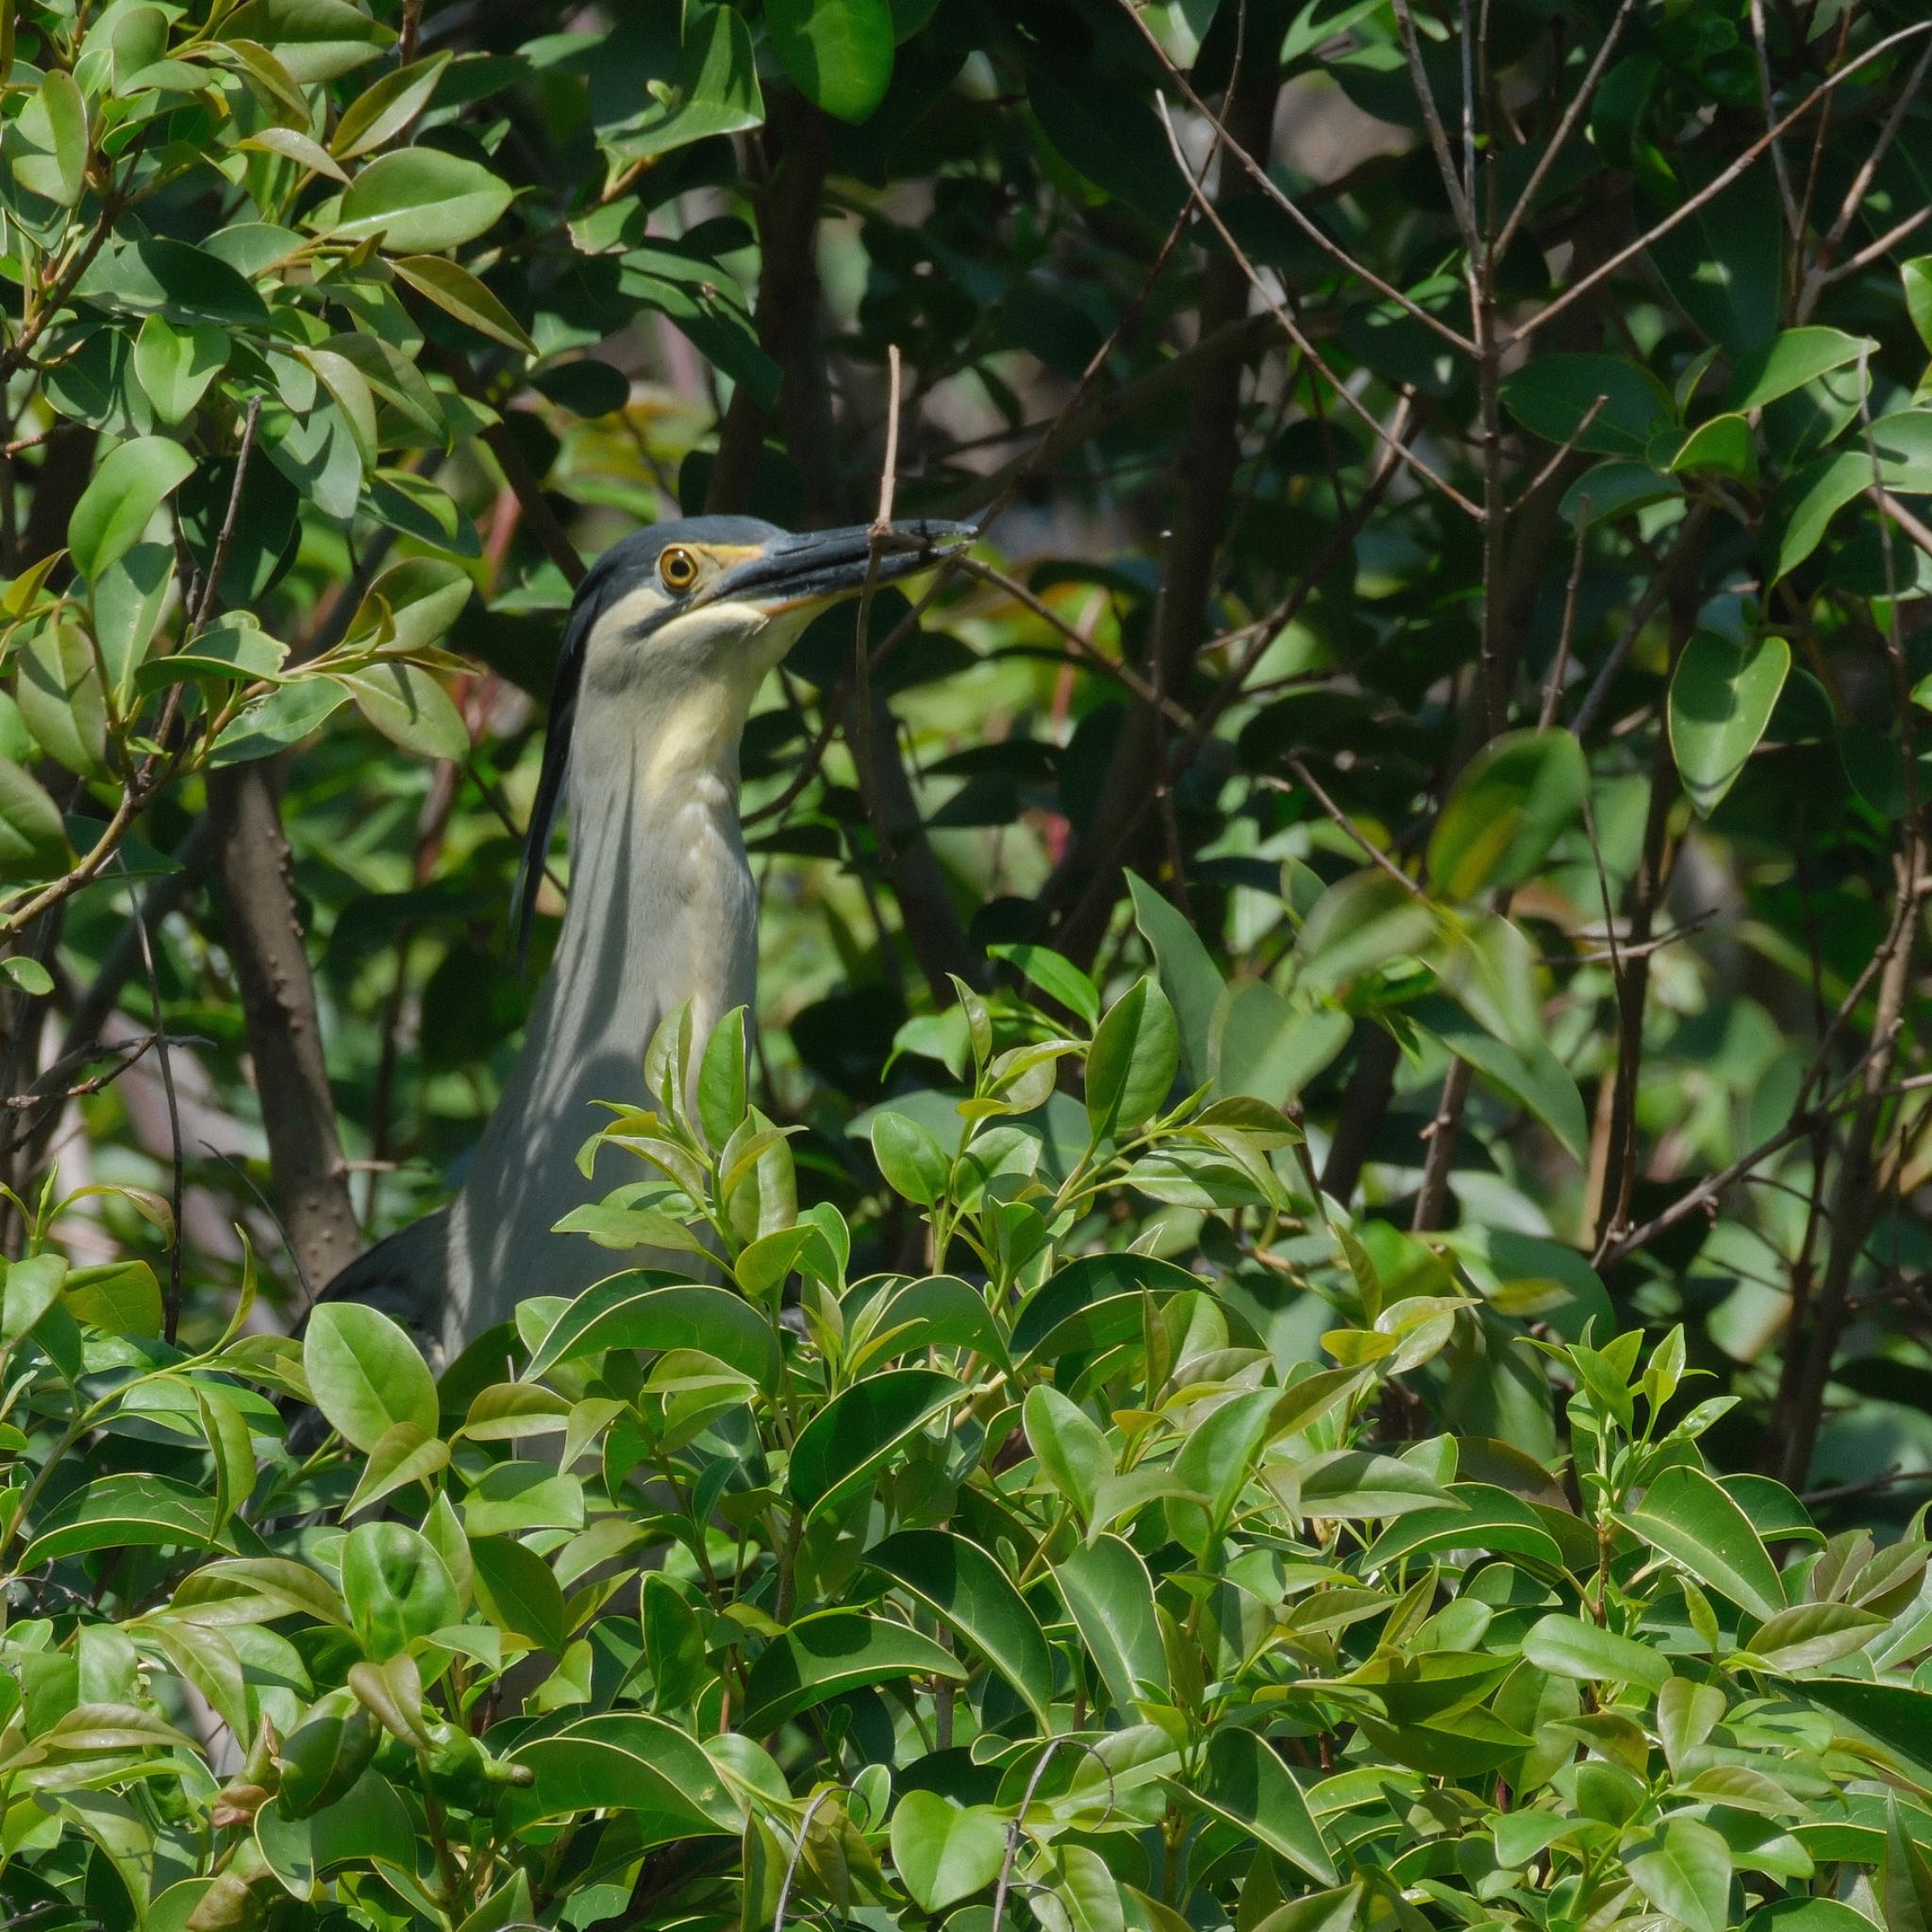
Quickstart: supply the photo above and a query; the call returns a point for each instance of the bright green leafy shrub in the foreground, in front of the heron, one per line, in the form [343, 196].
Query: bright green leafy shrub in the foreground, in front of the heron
[1011, 1587]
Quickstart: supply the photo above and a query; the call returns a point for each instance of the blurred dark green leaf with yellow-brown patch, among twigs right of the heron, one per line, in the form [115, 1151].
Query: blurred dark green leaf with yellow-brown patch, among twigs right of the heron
[1518, 797]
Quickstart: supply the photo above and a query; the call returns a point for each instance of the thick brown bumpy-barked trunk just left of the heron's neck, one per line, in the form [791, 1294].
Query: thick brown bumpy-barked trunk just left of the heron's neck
[266, 942]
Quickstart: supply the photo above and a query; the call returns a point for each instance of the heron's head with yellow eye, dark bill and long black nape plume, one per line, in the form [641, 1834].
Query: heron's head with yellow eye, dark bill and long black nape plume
[683, 621]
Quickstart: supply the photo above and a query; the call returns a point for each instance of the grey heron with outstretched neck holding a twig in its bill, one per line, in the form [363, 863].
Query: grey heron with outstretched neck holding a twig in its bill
[669, 639]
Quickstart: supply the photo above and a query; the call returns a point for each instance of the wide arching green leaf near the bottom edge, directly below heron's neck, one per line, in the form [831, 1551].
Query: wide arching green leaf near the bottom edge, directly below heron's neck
[629, 1763]
